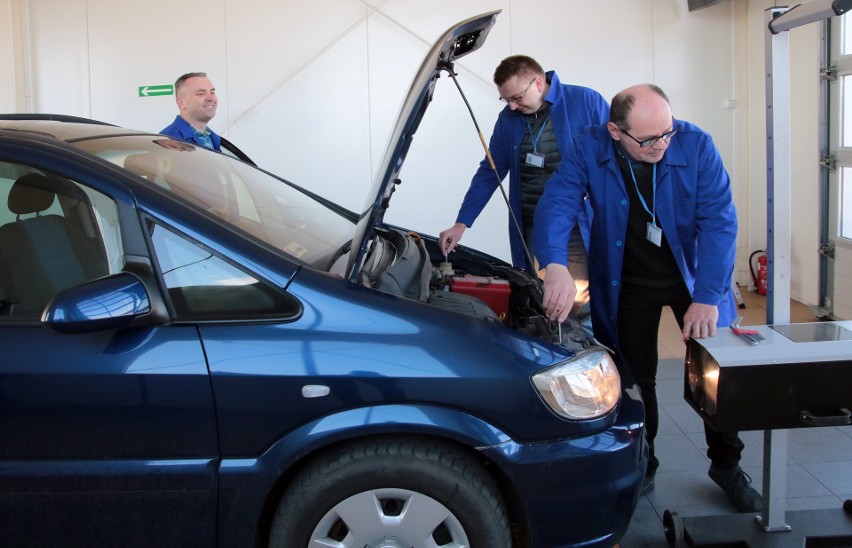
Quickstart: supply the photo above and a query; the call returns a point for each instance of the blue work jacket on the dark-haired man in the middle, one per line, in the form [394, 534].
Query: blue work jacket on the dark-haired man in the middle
[573, 109]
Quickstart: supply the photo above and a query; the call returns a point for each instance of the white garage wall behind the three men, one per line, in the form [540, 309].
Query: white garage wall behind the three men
[310, 89]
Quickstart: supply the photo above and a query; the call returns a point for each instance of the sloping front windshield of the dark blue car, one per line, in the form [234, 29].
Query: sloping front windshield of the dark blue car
[240, 195]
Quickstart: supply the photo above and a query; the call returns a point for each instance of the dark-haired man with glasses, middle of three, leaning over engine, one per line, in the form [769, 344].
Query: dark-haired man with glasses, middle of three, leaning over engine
[540, 119]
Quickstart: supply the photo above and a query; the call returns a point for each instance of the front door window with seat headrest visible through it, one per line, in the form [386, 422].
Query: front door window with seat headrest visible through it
[55, 233]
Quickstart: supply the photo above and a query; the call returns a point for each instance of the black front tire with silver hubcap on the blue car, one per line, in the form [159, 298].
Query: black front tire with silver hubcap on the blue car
[406, 492]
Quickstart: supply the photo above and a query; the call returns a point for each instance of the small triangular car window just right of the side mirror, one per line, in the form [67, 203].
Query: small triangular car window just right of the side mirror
[204, 286]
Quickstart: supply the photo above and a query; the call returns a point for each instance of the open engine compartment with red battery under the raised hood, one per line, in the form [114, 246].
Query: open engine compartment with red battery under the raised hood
[406, 264]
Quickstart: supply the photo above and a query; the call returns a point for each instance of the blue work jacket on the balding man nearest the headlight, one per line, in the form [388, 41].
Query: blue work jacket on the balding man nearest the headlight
[694, 207]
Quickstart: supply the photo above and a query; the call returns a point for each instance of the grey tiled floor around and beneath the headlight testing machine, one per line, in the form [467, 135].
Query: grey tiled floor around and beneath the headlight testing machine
[818, 472]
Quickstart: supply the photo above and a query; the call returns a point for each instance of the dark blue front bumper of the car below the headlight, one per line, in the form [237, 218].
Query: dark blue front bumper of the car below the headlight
[580, 491]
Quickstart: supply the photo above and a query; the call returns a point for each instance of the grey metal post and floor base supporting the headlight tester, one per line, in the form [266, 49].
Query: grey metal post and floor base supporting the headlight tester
[773, 528]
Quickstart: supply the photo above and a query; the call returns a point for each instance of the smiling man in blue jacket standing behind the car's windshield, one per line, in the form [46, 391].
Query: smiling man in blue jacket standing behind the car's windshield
[197, 102]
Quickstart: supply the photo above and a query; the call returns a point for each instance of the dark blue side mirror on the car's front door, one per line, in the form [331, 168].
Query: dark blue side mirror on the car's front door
[111, 302]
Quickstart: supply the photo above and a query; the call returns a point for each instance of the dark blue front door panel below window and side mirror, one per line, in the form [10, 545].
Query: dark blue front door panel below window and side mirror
[109, 438]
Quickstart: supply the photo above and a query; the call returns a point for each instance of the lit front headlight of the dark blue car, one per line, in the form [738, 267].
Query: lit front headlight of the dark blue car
[584, 387]
